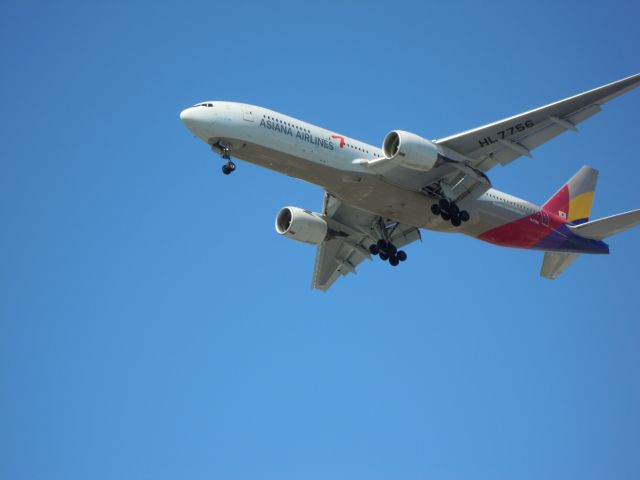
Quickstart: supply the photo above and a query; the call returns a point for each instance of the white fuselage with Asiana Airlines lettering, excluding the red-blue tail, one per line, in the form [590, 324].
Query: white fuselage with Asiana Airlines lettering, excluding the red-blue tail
[330, 160]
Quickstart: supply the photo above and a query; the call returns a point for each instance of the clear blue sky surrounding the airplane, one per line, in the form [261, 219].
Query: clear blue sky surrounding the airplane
[154, 326]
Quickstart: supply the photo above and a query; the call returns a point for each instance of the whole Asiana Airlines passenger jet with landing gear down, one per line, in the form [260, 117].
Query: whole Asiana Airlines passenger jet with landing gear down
[377, 199]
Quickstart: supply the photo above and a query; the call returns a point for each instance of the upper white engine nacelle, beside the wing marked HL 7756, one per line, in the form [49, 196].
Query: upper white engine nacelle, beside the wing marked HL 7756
[410, 150]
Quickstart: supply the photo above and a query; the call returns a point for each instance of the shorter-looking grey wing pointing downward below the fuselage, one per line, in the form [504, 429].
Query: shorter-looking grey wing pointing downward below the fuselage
[353, 231]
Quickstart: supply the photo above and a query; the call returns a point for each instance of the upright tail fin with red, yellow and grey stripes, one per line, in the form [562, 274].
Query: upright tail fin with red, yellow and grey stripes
[573, 201]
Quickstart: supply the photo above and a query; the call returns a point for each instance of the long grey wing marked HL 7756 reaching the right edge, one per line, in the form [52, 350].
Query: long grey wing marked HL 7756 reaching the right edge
[504, 141]
